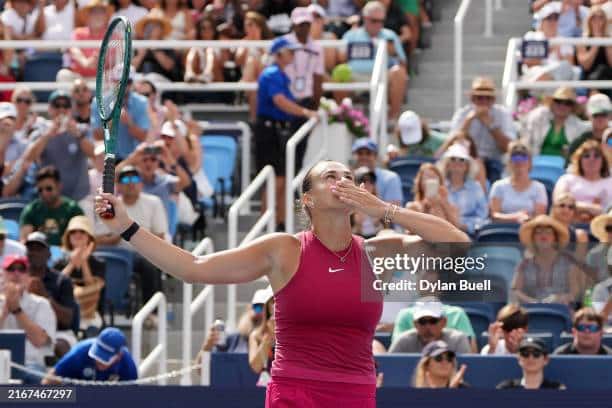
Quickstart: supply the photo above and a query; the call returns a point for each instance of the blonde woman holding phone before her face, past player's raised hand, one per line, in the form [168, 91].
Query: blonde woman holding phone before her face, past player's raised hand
[431, 195]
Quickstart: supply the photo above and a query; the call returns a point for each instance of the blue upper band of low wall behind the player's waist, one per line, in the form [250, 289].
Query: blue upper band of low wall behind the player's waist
[231, 370]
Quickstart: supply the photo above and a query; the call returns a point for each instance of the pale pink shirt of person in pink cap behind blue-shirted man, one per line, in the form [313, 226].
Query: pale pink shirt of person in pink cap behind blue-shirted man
[306, 63]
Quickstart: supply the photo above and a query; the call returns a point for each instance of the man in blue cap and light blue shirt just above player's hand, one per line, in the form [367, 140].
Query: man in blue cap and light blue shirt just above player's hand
[388, 183]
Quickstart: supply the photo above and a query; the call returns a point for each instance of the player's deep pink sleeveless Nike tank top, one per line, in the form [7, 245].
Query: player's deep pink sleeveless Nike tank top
[324, 327]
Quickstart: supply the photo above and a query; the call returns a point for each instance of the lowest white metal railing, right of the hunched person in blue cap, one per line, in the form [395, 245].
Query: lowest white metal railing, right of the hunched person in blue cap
[160, 351]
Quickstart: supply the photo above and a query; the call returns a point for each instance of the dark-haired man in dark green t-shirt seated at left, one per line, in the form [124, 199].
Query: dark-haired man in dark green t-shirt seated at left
[51, 212]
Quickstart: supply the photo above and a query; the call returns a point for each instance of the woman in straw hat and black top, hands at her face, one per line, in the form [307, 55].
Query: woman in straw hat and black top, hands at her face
[86, 270]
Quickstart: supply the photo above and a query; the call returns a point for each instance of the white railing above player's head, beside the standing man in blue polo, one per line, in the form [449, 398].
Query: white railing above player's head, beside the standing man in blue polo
[292, 182]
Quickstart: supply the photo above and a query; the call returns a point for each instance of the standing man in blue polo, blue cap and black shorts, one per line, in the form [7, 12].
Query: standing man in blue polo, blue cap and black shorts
[277, 111]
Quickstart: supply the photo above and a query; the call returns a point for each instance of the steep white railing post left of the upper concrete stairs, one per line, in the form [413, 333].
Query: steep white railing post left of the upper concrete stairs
[378, 98]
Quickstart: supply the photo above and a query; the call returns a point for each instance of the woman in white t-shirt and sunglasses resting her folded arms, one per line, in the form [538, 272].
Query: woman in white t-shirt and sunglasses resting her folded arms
[517, 198]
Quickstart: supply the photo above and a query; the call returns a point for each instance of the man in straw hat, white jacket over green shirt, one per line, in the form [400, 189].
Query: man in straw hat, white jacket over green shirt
[550, 129]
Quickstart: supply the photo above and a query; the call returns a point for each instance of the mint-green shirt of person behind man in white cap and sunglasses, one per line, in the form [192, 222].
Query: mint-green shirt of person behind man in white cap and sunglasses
[455, 317]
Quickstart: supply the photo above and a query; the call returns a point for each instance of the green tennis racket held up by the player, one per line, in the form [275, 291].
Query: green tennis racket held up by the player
[111, 81]
